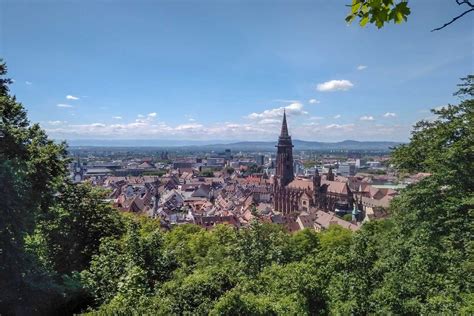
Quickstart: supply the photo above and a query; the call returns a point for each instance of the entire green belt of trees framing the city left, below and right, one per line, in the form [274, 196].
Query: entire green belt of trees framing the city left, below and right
[63, 251]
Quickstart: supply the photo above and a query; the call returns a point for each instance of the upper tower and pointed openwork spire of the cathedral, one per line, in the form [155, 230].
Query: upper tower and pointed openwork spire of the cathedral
[284, 161]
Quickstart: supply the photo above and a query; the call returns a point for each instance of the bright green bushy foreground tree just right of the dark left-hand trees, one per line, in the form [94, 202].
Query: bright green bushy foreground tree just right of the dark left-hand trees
[128, 269]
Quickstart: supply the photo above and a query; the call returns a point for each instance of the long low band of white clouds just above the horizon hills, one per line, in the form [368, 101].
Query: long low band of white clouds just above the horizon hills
[231, 131]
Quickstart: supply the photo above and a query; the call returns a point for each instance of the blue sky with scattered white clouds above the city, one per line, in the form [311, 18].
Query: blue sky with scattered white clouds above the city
[226, 69]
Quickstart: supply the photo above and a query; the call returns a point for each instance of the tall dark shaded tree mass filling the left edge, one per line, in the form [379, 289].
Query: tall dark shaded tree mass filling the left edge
[44, 235]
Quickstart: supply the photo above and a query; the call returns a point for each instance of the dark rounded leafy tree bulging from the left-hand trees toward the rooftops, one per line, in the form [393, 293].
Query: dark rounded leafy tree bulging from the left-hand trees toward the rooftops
[73, 228]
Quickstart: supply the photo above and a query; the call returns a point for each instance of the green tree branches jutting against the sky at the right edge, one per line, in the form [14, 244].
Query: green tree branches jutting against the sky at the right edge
[444, 145]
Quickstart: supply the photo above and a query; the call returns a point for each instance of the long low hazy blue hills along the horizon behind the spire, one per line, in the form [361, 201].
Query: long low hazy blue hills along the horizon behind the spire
[235, 146]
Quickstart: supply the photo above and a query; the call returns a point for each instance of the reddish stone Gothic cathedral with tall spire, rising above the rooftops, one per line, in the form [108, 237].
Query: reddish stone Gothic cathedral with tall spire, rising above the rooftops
[291, 195]
